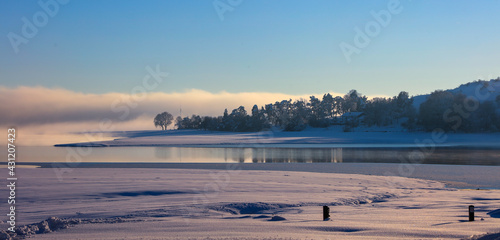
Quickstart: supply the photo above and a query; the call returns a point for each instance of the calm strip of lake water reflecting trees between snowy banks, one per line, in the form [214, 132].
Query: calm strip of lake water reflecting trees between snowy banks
[462, 156]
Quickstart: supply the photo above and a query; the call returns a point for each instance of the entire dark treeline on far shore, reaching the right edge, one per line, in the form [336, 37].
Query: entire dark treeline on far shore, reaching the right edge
[442, 109]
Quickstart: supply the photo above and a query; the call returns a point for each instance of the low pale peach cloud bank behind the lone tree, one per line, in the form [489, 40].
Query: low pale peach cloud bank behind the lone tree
[40, 106]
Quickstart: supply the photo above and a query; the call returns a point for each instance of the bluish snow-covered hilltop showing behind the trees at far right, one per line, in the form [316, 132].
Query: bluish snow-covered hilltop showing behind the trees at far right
[481, 90]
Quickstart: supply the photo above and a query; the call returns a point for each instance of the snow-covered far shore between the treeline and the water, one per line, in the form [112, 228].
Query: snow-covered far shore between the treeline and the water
[332, 137]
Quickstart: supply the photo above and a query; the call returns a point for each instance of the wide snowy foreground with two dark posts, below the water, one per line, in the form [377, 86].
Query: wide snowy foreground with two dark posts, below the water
[107, 203]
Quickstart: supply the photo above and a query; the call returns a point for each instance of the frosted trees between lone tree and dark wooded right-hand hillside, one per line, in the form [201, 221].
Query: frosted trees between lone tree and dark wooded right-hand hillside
[297, 115]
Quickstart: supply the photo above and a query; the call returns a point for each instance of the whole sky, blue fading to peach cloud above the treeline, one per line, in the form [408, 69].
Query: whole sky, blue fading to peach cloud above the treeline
[254, 51]
